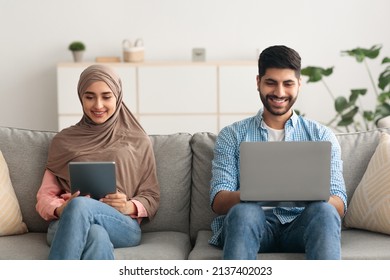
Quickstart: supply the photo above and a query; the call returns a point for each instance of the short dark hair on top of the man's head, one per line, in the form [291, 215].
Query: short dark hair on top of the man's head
[280, 57]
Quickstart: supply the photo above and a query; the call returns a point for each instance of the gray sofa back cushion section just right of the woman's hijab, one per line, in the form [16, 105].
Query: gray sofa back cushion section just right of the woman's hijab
[174, 161]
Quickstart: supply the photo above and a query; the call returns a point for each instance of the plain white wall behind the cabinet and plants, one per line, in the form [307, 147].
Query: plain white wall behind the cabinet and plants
[35, 35]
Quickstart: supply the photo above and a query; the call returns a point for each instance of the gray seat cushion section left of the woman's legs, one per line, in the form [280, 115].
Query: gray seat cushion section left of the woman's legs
[28, 246]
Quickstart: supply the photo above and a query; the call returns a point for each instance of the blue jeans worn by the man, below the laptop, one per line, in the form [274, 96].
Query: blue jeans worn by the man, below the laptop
[248, 230]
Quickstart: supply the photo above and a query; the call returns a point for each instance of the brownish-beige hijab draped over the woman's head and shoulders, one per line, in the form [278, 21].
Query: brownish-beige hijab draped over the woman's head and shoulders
[121, 139]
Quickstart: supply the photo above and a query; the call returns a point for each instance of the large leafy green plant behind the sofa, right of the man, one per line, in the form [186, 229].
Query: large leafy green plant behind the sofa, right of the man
[347, 110]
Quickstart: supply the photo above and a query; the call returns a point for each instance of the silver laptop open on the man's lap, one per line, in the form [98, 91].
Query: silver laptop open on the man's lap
[285, 173]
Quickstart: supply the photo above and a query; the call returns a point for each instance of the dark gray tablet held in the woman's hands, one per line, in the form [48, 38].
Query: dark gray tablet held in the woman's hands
[96, 179]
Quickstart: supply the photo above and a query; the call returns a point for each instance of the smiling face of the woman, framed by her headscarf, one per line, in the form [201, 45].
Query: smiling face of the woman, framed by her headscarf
[99, 102]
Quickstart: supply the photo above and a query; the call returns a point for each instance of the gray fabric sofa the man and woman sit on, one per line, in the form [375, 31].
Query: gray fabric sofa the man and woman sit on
[181, 228]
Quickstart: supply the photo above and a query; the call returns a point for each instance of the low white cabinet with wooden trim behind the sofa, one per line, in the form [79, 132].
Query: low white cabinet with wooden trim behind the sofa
[170, 97]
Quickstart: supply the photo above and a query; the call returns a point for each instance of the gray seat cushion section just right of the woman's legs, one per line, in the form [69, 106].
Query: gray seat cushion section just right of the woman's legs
[165, 245]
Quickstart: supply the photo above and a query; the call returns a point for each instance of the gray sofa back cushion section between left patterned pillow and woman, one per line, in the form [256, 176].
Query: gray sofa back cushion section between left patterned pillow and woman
[26, 153]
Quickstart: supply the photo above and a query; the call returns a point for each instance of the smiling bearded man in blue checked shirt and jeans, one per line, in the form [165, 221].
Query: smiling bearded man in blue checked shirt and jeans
[245, 229]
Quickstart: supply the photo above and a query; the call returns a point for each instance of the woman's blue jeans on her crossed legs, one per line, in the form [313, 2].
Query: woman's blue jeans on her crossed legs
[90, 230]
